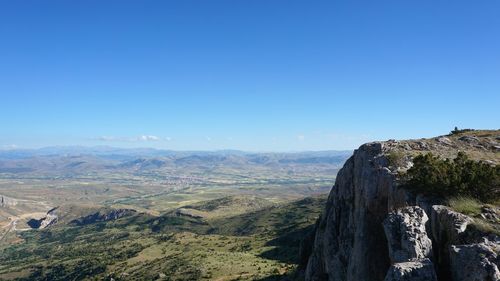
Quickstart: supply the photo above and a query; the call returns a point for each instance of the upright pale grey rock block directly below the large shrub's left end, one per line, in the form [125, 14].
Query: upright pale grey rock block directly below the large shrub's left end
[406, 235]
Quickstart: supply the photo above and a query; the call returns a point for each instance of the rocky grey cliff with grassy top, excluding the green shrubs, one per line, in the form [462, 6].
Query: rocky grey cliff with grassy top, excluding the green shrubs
[372, 229]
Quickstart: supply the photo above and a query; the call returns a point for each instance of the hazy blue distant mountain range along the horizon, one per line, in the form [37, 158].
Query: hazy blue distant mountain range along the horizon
[76, 159]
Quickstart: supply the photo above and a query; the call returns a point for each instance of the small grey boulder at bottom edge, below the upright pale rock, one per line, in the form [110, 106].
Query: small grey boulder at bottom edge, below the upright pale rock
[418, 270]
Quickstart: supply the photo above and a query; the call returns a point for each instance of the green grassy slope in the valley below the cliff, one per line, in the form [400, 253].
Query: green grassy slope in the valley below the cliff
[250, 246]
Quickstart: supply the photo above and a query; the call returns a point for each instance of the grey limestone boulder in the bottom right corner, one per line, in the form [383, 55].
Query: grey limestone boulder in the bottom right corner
[475, 262]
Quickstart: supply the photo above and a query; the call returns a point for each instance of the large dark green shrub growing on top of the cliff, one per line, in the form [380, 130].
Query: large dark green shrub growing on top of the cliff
[447, 178]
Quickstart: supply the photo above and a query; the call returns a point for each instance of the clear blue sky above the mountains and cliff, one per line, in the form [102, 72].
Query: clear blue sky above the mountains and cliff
[245, 74]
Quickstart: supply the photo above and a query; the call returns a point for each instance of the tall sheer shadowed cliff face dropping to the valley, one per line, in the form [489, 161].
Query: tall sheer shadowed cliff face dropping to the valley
[350, 243]
